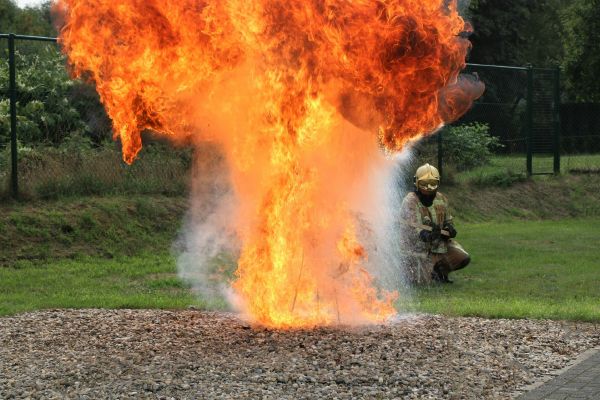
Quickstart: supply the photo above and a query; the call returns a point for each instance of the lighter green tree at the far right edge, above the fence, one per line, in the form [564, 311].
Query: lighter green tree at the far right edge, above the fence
[581, 37]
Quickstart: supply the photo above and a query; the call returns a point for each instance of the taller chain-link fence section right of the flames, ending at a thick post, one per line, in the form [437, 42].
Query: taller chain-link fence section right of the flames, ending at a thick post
[520, 106]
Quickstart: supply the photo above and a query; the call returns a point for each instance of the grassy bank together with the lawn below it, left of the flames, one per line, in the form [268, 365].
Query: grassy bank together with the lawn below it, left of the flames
[110, 252]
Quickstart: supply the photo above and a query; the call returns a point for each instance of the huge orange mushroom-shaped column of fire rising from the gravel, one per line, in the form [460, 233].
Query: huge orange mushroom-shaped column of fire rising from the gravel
[301, 96]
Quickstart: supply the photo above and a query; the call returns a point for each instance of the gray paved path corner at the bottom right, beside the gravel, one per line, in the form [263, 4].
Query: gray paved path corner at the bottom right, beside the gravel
[581, 381]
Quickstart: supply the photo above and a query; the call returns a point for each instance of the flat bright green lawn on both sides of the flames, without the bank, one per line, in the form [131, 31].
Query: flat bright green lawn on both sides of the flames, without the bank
[520, 269]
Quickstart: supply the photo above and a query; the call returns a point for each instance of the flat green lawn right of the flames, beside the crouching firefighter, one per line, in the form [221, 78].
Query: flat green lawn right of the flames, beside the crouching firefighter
[535, 269]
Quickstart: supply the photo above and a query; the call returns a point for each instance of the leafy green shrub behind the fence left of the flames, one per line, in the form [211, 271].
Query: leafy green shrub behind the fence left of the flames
[50, 105]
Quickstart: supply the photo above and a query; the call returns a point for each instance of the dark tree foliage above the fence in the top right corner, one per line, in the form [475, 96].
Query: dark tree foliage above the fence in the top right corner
[543, 33]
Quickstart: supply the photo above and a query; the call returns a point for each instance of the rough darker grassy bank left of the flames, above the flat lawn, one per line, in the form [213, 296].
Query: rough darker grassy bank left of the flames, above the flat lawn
[99, 227]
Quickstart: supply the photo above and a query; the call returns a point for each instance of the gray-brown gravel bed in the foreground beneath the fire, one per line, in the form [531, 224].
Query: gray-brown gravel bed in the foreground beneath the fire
[97, 354]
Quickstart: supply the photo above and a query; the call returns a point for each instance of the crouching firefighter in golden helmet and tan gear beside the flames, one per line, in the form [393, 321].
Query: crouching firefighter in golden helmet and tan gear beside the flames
[428, 244]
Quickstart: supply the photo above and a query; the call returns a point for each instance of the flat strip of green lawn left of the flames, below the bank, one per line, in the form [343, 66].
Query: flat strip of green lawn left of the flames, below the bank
[142, 281]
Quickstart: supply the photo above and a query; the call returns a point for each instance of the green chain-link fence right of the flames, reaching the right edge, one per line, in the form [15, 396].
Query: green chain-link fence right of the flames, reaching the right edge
[539, 135]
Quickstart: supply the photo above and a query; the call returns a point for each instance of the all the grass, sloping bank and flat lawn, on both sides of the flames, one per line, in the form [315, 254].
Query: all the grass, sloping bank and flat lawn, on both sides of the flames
[115, 252]
